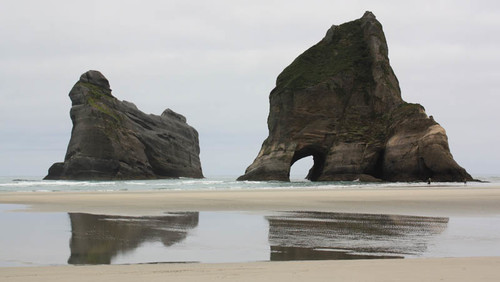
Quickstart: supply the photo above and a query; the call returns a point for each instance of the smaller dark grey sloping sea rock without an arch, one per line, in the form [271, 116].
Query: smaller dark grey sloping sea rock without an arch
[112, 139]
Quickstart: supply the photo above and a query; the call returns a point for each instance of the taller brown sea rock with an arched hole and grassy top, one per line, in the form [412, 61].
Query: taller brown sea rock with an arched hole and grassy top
[340, 102]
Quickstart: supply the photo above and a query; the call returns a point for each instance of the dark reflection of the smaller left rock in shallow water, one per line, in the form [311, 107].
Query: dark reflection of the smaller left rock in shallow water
[96, 239]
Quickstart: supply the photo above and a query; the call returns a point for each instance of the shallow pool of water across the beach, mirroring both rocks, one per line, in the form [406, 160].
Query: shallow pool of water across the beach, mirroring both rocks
[79, 238]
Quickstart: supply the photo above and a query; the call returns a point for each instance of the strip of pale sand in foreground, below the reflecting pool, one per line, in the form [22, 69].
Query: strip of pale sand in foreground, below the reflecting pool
[448, 269]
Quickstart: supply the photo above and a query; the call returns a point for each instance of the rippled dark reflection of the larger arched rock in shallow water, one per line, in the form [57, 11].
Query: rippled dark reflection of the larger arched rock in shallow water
[318, 235]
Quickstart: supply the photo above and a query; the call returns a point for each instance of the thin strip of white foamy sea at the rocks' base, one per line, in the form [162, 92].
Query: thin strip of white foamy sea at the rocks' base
[37, 184]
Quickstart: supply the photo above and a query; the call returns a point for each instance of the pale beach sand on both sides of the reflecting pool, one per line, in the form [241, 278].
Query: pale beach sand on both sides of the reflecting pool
[425, 201]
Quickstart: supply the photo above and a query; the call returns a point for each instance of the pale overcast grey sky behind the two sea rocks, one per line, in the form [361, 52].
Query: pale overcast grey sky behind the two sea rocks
[216, 62]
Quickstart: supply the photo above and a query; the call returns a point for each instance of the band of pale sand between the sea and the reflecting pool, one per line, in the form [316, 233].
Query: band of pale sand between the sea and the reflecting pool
[424, 201]
